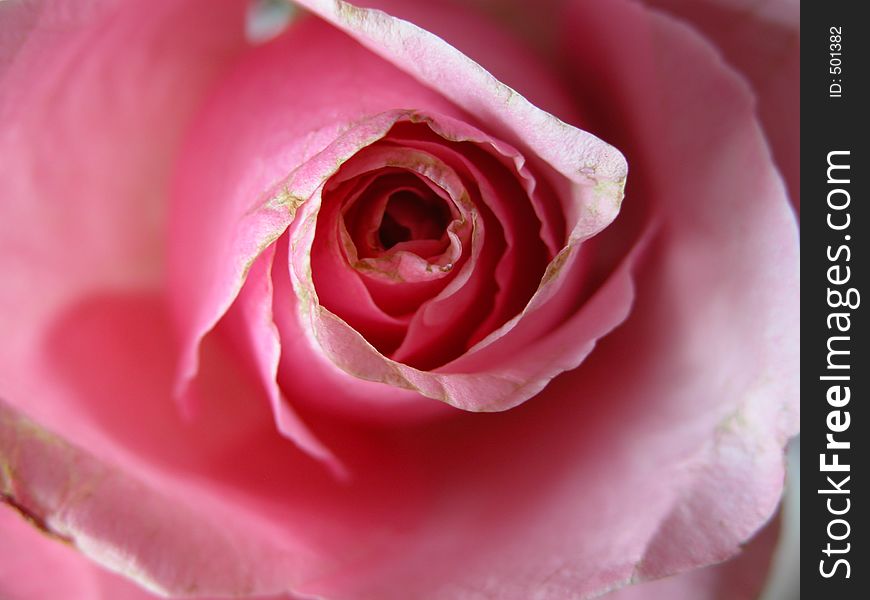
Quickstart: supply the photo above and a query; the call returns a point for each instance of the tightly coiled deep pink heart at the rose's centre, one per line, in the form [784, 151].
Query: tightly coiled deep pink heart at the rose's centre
[424, 245]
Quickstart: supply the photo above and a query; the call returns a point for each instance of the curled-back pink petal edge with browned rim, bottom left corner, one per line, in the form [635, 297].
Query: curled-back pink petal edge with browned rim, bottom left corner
[126, 526]
